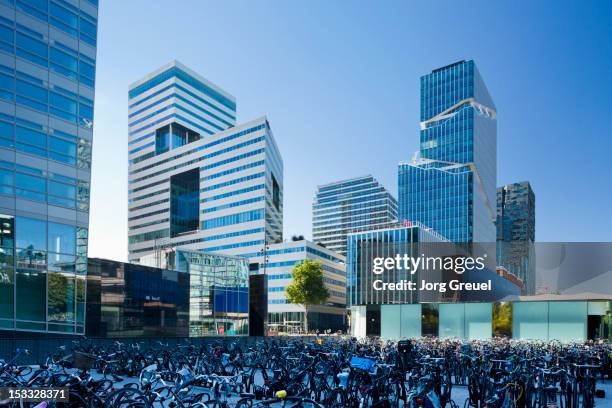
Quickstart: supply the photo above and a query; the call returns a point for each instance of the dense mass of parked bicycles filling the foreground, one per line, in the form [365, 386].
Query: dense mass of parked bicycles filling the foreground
[330, 372]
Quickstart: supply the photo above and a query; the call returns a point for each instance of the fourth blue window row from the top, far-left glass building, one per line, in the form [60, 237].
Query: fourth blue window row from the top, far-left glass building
[58, 146]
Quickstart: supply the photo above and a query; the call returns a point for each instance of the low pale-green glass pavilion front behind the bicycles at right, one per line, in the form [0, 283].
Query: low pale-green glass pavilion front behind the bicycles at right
[563, 321]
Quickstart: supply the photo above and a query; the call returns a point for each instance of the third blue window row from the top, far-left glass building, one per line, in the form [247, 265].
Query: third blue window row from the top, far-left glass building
[56, 101]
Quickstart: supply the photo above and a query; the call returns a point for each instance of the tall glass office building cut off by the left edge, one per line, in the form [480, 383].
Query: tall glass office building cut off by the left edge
[47, 75]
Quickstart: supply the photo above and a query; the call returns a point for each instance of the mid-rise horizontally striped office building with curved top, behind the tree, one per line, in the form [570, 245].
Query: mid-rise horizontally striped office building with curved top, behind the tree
[346, 206]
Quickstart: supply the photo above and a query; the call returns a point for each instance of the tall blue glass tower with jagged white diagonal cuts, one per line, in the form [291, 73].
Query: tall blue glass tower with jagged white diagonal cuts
[450, 184]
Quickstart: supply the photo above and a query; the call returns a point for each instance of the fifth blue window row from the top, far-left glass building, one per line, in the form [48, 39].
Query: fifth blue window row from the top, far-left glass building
[32, 184]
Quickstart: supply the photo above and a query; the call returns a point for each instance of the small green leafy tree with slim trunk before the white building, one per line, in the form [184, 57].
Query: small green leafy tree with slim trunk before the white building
[307, 287]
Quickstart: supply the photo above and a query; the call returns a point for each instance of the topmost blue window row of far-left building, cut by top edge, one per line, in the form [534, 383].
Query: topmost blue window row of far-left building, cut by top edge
[63, 16]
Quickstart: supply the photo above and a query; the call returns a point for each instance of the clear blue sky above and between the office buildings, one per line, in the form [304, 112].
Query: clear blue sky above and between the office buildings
[339, 82]
